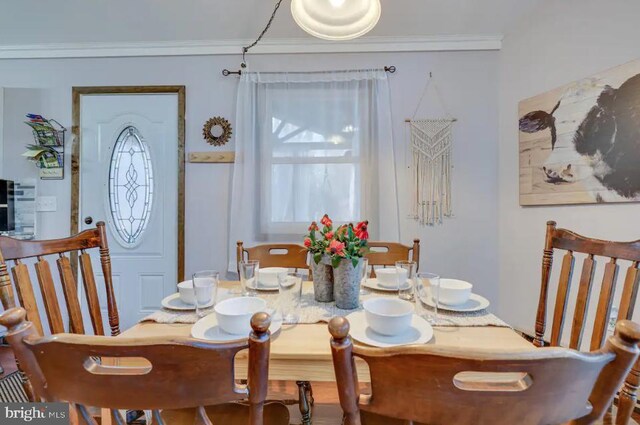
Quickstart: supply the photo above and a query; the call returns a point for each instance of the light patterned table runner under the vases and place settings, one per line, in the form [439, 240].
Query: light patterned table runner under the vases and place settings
[310, 311]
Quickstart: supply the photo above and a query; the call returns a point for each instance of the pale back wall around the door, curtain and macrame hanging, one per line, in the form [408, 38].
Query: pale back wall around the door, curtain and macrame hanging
[464, 247]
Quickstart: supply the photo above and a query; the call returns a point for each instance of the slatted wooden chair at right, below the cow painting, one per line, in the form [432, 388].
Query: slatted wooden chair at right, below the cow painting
[566, 240]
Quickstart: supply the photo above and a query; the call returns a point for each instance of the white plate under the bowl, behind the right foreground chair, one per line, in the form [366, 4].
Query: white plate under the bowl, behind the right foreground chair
[420, 332]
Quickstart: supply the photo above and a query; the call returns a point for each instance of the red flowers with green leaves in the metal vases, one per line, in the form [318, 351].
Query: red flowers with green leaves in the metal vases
[346, 242]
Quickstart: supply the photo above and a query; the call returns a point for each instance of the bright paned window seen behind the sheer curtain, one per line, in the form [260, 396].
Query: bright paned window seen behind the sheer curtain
[312, 159]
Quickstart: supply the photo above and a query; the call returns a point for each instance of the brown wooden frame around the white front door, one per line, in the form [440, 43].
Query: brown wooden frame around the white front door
[77, 92]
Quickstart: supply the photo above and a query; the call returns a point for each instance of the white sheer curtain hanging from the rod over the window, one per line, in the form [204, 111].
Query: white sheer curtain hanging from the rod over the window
[309, 144]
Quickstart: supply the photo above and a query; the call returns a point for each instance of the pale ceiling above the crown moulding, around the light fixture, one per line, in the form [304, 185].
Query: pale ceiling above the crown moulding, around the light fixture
[28, 22]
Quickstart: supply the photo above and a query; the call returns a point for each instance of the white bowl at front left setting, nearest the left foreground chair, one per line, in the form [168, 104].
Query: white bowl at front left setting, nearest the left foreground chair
[234, 314]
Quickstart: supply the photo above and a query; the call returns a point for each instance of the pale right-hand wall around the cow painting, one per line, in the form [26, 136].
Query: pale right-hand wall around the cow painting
[560, 42]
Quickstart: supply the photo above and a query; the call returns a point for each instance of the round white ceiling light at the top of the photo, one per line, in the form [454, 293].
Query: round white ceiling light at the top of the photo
[336, 19]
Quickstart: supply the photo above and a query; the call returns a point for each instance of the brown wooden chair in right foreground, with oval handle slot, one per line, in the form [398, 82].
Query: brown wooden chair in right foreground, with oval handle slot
[439, 386]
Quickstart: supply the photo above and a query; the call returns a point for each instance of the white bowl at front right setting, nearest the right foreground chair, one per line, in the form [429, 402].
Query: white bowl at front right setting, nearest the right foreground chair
[388, 316]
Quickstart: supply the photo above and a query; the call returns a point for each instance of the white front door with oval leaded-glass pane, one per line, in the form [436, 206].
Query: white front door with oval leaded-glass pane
[129, 179]
